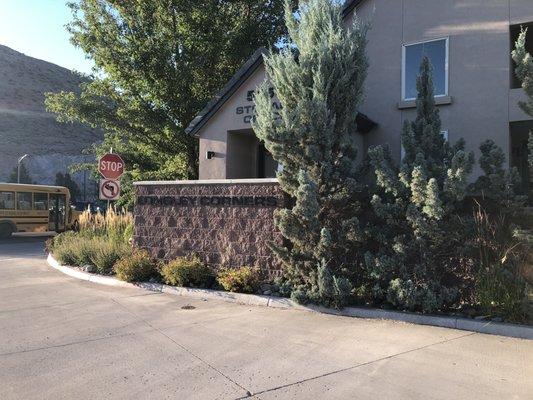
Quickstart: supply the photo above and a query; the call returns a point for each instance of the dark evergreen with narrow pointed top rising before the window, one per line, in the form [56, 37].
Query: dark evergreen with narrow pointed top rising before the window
[411, 258]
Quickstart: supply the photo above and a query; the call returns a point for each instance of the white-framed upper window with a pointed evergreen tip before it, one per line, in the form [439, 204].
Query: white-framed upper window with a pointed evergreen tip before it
[437, 52]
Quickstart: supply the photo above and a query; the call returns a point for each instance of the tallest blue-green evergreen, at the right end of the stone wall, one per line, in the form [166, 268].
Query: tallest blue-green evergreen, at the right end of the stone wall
[318, 79]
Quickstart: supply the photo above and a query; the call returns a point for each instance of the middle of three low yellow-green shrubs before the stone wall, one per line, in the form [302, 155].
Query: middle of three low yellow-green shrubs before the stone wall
[187, 271]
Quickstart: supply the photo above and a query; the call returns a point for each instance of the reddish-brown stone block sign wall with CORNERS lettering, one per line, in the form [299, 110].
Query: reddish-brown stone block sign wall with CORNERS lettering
[225, 224]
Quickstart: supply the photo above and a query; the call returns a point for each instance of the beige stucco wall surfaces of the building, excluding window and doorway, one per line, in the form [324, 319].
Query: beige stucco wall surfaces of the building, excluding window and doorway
[479, 73]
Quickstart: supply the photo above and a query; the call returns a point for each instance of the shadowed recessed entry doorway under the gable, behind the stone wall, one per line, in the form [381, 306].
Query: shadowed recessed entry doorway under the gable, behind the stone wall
[247, 157]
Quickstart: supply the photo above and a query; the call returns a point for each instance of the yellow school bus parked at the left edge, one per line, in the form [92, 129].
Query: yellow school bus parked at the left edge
[35, 208]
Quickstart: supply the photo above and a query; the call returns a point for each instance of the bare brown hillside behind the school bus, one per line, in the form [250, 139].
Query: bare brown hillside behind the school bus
[26, 127]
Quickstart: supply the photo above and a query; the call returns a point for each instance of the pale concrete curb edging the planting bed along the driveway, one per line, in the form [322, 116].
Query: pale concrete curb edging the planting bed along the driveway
[465, 324]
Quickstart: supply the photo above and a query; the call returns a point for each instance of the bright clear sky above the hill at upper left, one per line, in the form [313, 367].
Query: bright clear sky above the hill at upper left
[37, 29]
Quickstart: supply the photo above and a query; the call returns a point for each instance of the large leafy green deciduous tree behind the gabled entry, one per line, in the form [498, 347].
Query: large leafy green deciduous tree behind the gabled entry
[157, 63]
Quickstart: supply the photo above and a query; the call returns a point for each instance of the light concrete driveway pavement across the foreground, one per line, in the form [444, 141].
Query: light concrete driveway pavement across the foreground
[61, 338]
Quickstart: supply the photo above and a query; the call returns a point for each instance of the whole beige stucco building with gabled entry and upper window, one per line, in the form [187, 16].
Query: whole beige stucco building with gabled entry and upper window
[469, 44]
